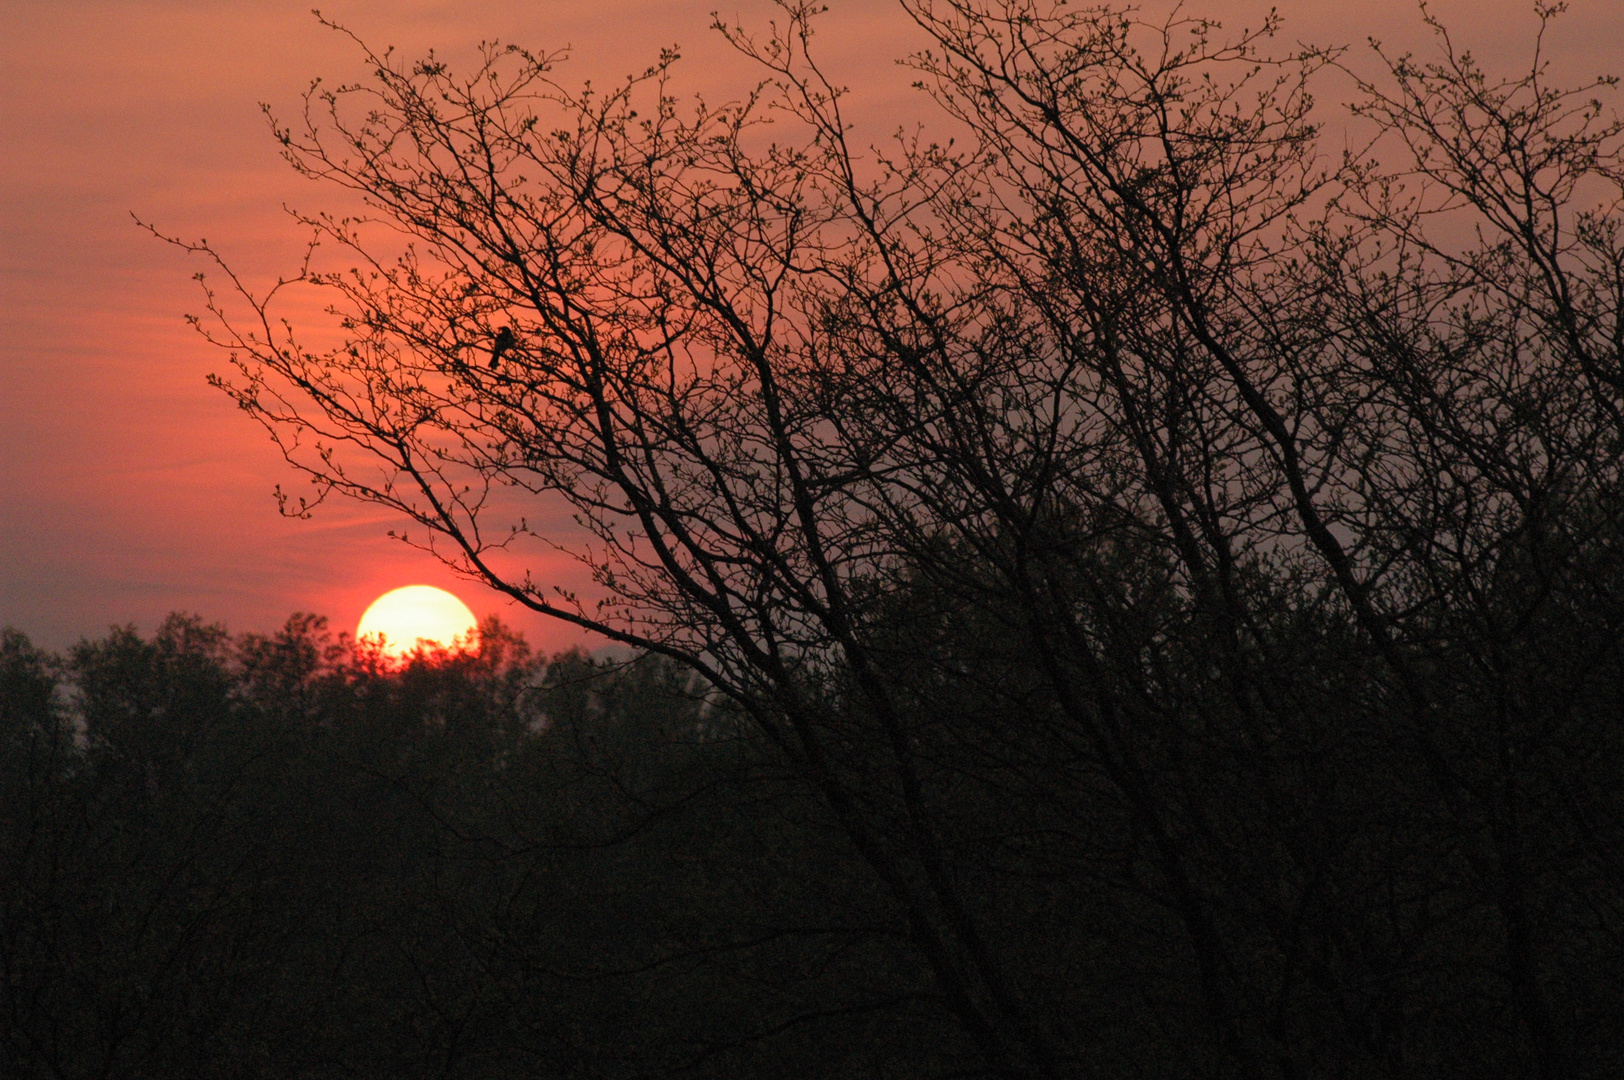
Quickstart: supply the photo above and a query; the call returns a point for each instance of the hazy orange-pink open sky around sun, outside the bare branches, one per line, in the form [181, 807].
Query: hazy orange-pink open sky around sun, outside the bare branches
[127, 486]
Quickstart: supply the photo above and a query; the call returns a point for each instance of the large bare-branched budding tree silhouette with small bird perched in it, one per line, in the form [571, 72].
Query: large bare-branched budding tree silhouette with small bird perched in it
[1165, 582]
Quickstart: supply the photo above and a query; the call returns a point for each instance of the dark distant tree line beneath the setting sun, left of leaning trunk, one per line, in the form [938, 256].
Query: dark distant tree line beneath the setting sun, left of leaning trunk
[270, 857]
